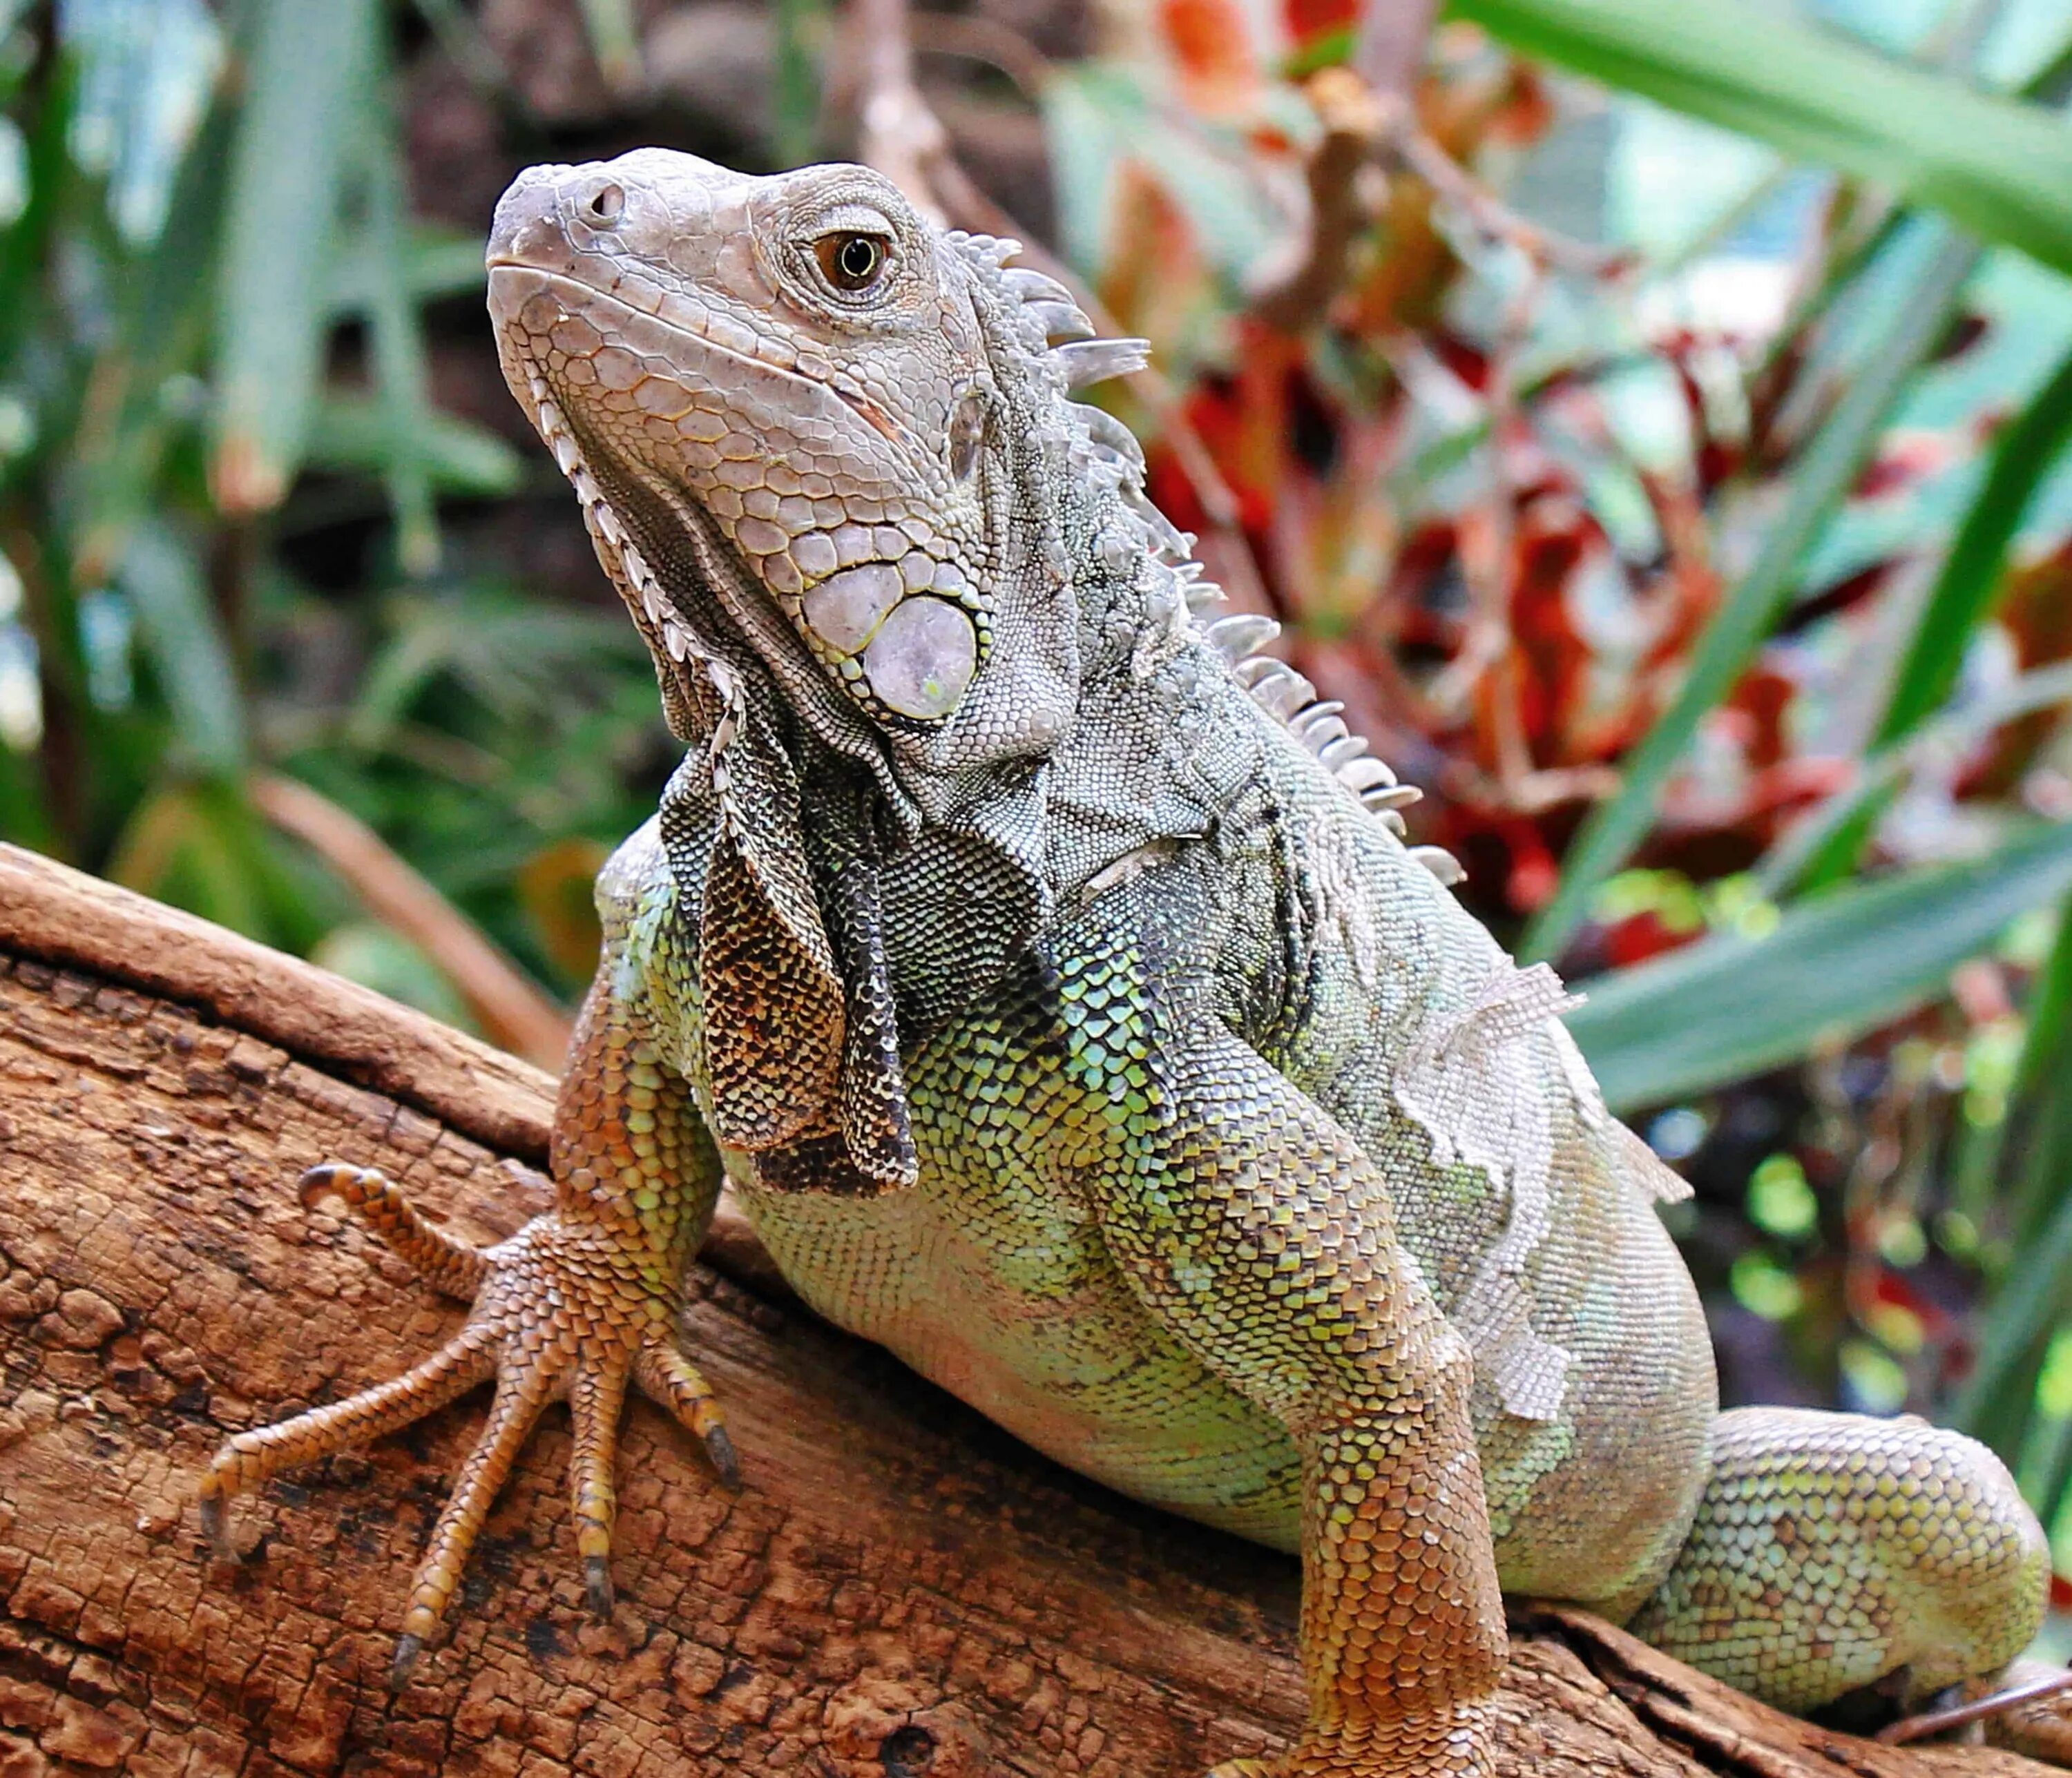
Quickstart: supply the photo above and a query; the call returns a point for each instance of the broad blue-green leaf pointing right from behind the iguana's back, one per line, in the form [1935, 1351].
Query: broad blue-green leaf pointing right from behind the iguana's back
[1829, 971]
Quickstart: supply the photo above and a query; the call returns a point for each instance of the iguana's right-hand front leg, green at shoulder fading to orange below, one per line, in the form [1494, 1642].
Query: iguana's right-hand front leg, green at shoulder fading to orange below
[1261, 1238]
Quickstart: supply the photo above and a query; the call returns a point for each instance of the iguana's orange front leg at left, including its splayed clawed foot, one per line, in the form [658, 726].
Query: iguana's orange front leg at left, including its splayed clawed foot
[579, 1304]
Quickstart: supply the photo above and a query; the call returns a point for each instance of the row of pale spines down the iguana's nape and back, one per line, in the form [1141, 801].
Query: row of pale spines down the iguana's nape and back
[1107, 453]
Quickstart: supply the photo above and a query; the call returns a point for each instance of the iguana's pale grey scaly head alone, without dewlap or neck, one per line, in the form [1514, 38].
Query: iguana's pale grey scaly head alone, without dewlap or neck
[813, 432]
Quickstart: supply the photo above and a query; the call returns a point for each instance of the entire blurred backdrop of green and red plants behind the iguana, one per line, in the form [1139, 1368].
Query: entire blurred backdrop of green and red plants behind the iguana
[1665, 461]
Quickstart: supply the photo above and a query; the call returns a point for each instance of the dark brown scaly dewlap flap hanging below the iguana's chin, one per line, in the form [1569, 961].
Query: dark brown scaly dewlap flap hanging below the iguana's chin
[801, 1041]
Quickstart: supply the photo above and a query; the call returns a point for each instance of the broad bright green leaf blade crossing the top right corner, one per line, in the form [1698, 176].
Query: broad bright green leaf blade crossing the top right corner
[1992, 165]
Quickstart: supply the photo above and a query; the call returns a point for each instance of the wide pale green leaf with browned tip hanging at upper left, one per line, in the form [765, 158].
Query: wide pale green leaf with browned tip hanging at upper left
[306, 80]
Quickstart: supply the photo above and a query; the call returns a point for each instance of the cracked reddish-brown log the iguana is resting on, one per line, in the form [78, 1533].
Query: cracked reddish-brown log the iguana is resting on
[898, 1588]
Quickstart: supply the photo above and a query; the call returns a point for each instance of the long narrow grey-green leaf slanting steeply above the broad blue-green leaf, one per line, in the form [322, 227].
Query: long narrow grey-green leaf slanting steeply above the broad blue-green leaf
[1820, 484]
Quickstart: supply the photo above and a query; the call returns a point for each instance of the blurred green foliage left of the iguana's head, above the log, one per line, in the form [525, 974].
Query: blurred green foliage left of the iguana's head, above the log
[223, 482]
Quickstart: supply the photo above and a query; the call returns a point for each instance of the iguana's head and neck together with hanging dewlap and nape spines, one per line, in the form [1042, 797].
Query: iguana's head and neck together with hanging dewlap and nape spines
[830, 457]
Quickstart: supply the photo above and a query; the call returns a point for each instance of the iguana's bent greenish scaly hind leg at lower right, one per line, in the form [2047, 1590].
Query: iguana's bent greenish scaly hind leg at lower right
[1835, 1553]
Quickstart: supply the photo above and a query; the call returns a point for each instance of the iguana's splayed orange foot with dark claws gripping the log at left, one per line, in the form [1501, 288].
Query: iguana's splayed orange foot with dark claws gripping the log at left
[565, 1309]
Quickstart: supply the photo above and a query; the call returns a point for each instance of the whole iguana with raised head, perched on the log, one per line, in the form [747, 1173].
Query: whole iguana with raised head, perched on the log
[1047, 973]
